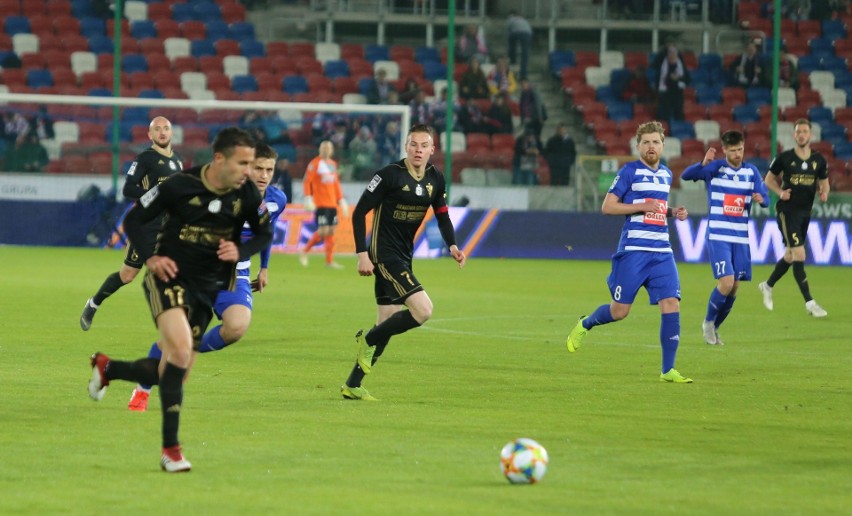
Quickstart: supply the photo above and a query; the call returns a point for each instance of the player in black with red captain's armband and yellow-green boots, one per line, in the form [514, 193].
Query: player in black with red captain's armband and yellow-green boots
[399, 196]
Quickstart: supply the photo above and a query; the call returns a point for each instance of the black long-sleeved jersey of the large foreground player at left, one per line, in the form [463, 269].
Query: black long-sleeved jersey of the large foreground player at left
[197, 217]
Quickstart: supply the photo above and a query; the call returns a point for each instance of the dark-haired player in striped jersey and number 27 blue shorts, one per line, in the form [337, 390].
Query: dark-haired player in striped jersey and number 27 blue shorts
[732, 185]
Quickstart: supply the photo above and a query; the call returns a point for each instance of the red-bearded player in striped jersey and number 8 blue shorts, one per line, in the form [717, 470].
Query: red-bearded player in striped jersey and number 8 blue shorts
[640, 193]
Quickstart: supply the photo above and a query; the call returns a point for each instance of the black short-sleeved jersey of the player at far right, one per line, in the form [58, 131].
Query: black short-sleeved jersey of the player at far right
[800, 176]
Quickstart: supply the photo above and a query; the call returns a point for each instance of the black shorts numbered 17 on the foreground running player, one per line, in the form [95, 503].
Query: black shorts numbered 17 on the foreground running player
[198, 304]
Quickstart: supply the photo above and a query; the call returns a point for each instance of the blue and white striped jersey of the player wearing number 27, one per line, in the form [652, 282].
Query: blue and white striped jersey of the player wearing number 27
[729, 192]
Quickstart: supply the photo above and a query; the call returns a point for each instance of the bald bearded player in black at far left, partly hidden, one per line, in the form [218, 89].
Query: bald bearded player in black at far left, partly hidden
[150, 168]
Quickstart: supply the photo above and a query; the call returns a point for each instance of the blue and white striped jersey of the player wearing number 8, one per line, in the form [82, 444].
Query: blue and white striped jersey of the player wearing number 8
[634, 184]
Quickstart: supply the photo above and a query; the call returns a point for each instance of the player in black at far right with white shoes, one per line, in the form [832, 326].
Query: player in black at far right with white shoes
[803, 175]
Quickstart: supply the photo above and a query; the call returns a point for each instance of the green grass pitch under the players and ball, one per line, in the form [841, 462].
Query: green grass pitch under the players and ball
[765, 429]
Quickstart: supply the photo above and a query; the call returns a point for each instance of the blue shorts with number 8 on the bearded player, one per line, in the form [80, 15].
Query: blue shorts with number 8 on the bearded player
[656, 272]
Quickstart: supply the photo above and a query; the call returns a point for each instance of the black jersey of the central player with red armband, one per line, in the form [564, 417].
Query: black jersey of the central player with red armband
[400, 203]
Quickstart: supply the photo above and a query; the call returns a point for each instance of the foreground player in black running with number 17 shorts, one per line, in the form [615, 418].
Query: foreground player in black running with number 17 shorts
[195, 257]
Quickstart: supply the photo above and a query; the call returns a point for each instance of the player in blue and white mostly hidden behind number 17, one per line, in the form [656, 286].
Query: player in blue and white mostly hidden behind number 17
[234, 307]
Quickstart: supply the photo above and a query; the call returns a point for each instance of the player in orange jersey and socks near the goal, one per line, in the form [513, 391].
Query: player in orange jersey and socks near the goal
[322, 196]
